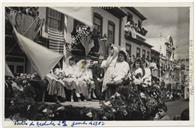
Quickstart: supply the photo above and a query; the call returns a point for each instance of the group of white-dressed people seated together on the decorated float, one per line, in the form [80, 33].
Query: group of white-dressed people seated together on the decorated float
[88, 79]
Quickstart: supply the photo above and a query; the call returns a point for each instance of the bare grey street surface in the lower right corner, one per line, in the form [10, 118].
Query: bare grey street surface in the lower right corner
[176, 107]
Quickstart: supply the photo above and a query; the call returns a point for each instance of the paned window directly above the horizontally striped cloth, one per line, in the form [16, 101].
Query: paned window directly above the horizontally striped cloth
[54, 19]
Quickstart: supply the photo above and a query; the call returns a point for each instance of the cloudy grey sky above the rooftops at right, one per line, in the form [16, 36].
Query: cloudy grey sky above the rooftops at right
[163, 22]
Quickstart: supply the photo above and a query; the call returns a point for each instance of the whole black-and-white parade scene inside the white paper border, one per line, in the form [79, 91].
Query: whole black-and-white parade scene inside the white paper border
[97, 63]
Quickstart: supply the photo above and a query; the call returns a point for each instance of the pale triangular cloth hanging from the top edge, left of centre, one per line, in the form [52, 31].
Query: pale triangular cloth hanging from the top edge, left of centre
[83, 14]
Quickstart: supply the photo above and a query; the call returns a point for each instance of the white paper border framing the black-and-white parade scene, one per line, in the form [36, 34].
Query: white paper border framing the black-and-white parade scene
[98, 4]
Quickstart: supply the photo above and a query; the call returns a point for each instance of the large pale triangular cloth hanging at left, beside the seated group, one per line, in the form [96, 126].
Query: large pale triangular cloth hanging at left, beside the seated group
[42, 58]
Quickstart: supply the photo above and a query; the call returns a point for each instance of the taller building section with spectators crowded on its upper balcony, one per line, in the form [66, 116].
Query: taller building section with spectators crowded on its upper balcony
[135, 35]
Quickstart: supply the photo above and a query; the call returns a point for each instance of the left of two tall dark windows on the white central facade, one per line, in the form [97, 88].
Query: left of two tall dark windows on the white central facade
[97, 22]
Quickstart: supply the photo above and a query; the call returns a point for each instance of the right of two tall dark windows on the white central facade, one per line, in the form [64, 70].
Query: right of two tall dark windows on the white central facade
[111, 30]
